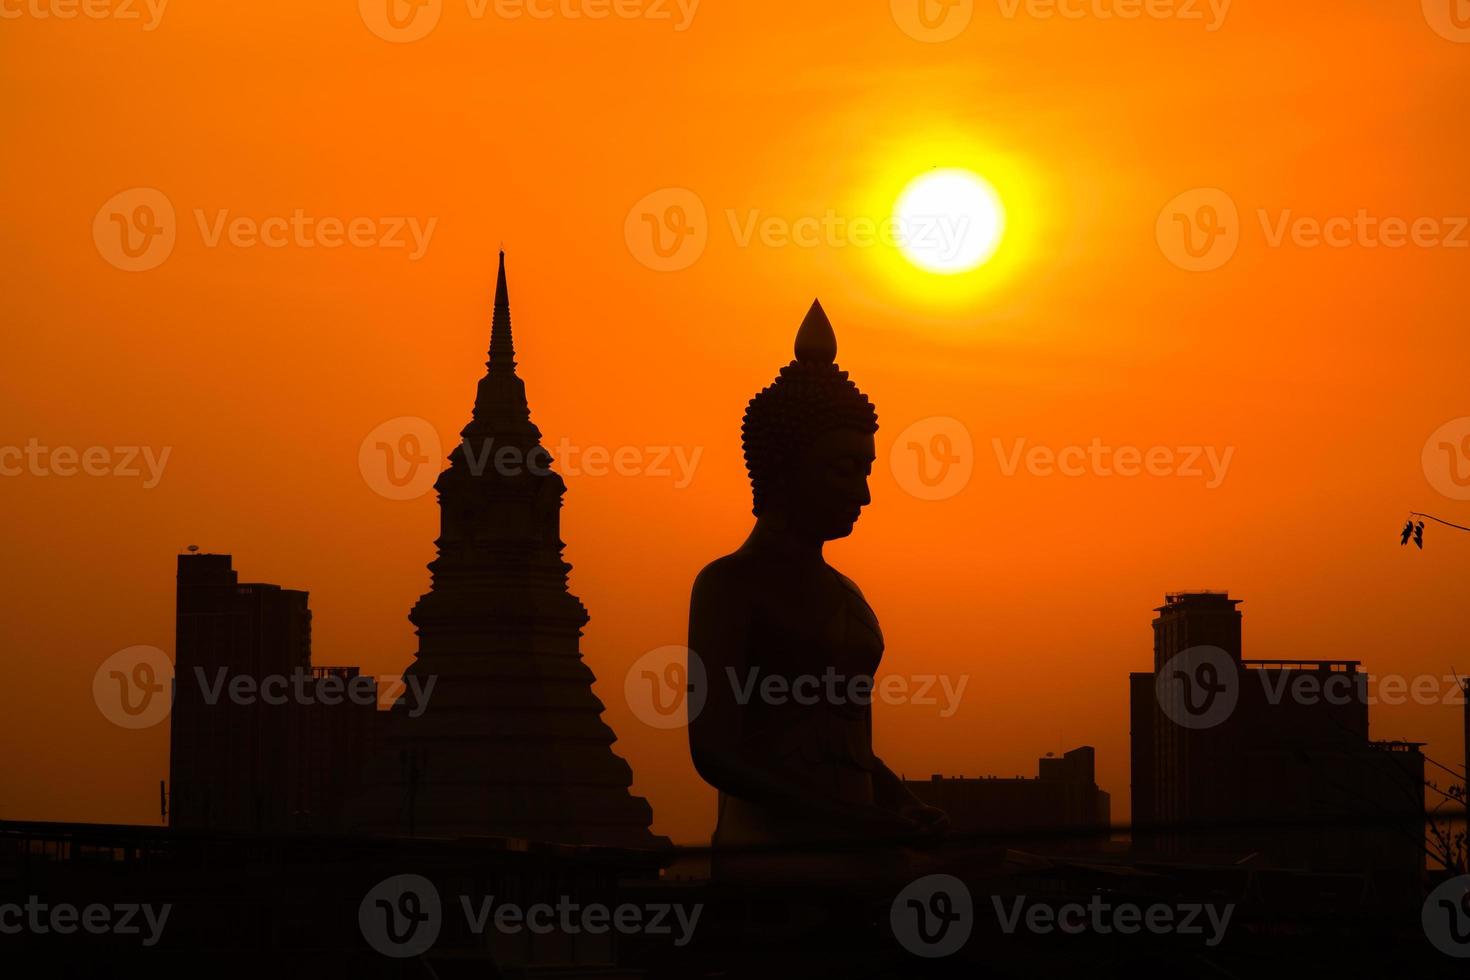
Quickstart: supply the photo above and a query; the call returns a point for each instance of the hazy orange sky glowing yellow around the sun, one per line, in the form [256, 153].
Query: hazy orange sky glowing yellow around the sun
[262, 370]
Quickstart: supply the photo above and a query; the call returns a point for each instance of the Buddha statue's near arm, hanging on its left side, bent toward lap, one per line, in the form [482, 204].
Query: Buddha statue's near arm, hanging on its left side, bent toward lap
[720, 631]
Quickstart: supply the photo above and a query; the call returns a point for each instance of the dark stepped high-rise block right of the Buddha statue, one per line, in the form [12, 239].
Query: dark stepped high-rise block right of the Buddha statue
[1241, 759]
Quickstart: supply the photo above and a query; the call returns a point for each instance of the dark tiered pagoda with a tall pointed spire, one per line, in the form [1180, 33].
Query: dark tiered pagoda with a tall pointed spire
[511, 741]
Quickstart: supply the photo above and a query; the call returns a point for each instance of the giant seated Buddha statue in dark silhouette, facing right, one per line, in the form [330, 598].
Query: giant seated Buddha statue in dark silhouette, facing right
[793, 759]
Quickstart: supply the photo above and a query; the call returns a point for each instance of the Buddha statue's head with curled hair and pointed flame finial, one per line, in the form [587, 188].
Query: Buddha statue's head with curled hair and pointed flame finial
[809, 442]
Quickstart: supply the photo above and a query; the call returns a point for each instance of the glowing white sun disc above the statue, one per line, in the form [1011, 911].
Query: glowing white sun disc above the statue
[949, 221]
